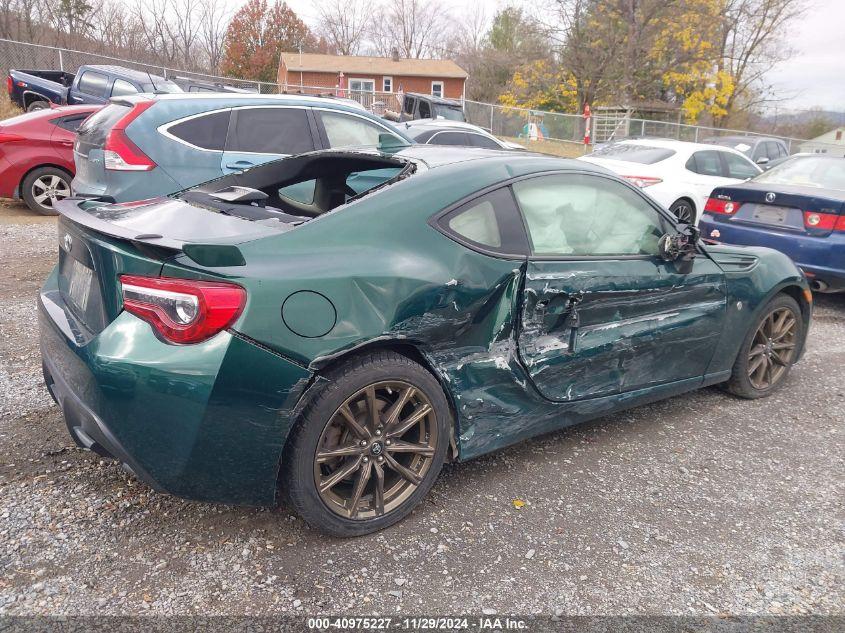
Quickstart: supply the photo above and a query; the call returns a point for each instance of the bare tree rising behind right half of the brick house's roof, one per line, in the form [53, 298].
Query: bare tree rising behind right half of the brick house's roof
[413, 28]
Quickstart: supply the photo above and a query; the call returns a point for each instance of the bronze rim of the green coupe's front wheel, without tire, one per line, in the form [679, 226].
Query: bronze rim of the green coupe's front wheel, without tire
[773, 348]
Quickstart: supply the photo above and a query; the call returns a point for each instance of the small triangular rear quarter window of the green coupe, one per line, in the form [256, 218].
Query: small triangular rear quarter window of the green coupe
[490, 222]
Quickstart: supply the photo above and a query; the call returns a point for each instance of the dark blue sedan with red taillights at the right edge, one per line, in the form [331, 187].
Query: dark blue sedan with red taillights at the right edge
[798, 208]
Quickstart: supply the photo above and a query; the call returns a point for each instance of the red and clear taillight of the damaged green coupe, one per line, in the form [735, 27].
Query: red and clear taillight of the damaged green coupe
[183, 310]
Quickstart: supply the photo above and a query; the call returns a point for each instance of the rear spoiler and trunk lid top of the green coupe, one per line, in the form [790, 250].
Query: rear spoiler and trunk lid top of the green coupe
[218, 251]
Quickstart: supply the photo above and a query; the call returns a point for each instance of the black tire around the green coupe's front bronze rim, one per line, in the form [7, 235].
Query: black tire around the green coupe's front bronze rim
[740, 382]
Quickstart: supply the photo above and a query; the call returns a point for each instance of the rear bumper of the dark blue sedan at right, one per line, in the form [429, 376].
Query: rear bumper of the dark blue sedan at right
[821, 258]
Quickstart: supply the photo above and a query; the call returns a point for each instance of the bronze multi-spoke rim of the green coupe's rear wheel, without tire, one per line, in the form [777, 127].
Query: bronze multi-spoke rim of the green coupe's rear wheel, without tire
[375, 450]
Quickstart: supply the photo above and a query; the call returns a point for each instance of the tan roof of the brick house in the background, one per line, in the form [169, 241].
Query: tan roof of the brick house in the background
[350, 65]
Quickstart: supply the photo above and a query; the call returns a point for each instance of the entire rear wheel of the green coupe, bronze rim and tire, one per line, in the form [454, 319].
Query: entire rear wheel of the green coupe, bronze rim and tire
[369, 446]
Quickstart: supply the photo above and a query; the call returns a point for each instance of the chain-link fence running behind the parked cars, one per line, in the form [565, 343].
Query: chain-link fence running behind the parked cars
[511, 122]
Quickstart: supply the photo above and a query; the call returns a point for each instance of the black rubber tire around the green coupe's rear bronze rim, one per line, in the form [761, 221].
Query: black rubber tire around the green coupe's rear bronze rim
[300, 465]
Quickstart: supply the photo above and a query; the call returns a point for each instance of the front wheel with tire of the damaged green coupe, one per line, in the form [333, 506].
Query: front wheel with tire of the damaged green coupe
[769, 350]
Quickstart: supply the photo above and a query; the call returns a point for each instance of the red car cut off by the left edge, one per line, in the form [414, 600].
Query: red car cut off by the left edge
[36, 155]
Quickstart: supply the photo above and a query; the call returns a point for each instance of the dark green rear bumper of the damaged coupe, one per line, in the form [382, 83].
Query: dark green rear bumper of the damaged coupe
[205, 422]
